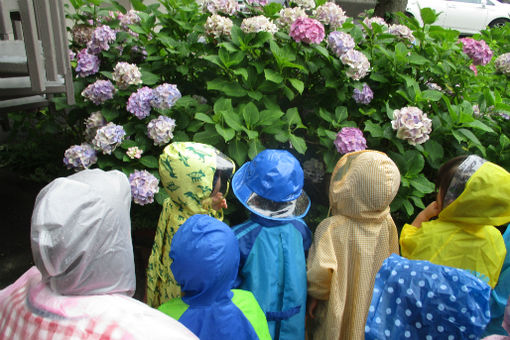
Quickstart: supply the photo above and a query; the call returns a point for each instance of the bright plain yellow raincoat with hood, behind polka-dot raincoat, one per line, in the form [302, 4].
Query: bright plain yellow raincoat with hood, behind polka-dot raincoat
[463, 235]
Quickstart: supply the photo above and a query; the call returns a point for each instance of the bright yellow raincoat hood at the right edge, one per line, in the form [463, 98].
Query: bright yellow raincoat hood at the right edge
[485, 199]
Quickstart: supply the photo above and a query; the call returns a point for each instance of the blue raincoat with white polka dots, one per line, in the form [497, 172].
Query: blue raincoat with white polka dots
[424, 301]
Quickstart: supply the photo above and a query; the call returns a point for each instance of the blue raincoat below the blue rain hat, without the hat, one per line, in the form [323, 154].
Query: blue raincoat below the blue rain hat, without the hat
[273, 268]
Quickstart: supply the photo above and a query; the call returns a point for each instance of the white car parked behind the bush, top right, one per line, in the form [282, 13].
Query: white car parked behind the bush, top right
[465, 16]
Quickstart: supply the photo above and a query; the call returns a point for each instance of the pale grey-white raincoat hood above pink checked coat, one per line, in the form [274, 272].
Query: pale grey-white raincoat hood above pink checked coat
[81, 234]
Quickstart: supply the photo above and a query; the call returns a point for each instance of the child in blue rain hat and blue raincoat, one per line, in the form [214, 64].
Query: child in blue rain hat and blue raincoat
[274, 240]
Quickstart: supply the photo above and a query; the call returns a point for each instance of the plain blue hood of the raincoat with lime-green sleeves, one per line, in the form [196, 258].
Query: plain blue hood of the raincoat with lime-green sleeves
[205, 256]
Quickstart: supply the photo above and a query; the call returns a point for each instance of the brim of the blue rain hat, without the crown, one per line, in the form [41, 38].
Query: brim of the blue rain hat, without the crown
[243, 193]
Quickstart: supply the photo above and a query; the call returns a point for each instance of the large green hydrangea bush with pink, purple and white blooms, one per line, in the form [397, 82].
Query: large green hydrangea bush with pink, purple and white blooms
[307, 78]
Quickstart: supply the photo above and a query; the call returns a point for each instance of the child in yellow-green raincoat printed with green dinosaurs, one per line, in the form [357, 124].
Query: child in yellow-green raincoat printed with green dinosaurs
[195, 176]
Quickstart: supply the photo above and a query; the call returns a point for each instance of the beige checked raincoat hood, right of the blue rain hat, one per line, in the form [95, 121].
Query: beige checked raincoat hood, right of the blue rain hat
[363, 184]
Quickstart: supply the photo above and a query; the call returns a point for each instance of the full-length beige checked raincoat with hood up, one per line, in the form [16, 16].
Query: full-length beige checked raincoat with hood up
[350, 246]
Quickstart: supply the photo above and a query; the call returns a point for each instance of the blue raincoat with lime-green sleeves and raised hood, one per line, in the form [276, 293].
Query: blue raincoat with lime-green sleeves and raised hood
[205, 257]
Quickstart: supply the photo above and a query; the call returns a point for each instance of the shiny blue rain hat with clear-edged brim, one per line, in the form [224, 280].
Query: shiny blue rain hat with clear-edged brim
[272, 186]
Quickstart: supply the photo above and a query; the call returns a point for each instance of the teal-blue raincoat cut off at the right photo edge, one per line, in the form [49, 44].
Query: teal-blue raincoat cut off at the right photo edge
[500, 293]
